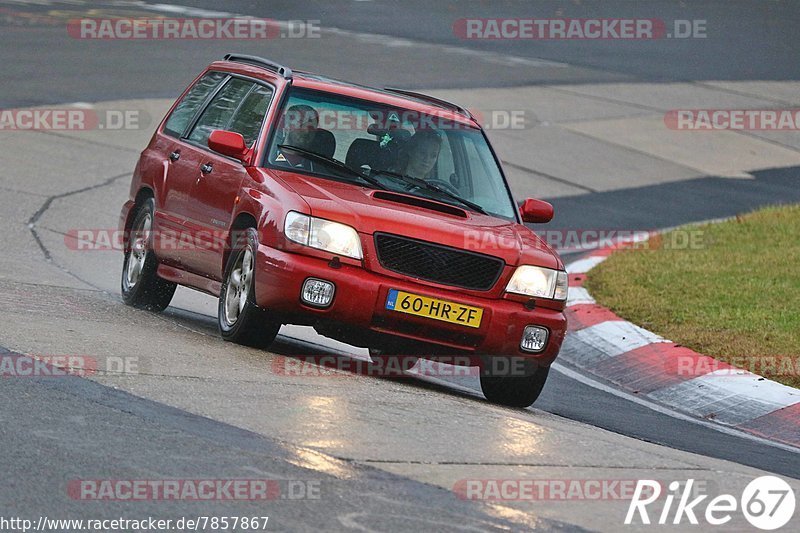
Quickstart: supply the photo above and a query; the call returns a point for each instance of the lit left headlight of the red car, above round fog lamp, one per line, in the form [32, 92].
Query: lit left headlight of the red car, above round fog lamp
[325, 235]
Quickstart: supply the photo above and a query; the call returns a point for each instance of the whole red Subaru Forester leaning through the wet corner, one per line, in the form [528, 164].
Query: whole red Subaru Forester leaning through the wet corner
[379, 216]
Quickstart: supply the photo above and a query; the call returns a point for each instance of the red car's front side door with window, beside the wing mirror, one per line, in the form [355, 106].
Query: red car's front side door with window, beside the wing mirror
[240, 106]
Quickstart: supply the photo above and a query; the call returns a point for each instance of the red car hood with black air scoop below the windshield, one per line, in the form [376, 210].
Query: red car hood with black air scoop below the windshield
[371, 211]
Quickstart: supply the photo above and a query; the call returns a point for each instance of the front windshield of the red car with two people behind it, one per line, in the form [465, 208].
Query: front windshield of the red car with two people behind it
[390, 148]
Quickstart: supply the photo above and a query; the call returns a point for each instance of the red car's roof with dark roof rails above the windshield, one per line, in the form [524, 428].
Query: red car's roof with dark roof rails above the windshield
[393, 97]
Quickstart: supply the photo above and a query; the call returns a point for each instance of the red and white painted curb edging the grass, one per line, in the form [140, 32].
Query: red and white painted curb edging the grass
[640, 362]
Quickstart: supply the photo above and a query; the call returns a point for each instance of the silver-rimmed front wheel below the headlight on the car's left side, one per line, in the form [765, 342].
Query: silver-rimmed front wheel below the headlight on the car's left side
[239, 319]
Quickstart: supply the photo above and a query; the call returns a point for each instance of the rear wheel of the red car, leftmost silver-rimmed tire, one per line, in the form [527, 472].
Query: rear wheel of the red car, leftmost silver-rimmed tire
[140, 285]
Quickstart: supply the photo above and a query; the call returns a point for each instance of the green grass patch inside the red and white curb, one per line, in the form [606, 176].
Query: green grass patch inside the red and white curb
[735, 297]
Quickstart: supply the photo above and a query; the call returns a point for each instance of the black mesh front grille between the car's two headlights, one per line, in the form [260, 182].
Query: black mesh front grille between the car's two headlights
[434, 262]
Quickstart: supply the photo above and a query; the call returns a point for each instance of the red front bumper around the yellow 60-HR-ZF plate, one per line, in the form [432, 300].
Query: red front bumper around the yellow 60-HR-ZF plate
[359, 304]
